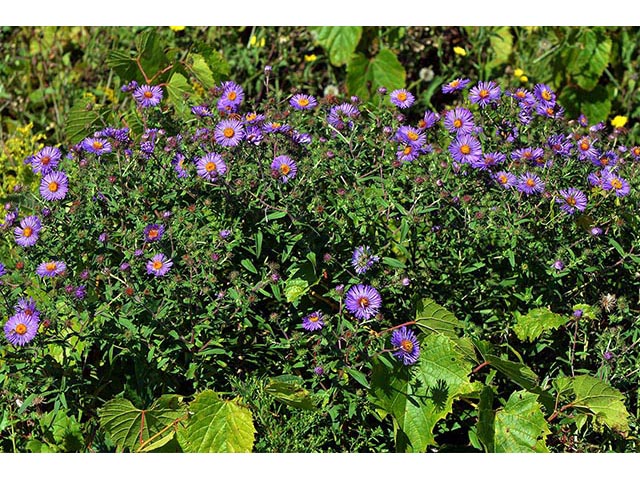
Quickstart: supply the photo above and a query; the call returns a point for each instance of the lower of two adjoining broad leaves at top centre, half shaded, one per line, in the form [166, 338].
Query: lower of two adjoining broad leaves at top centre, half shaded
[365, 75]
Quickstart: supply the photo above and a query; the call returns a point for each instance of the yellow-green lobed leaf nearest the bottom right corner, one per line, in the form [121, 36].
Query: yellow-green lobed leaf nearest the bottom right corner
[602, 400]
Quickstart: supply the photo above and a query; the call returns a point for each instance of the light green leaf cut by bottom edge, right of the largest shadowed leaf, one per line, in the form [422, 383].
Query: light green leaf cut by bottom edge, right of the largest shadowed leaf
[520, 426]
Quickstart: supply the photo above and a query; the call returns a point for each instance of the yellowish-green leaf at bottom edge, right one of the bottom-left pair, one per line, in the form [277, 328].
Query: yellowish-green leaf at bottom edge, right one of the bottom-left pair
[217, 426]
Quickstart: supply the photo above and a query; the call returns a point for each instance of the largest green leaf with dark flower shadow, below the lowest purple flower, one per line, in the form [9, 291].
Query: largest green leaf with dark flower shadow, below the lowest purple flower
[418, 397]
